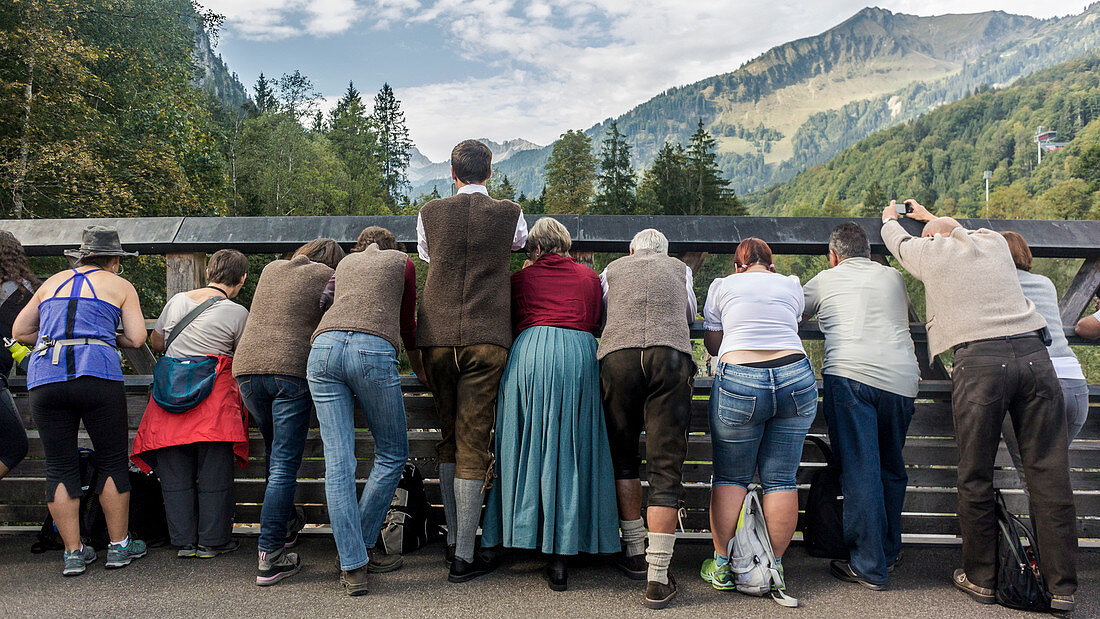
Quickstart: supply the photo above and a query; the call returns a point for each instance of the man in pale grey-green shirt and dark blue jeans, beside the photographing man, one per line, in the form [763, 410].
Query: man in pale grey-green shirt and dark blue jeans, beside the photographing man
[871, 378]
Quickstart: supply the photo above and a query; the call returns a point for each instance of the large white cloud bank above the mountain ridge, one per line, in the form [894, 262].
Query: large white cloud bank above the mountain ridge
[569, 64]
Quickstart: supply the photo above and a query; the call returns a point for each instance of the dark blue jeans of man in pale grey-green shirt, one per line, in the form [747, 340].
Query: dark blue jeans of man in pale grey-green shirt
[867, 430]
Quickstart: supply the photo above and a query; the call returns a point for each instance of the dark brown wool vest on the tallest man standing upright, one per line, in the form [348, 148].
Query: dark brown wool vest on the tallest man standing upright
[468, 296]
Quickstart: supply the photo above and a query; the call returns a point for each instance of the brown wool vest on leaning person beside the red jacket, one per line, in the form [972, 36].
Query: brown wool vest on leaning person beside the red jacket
[285, 312]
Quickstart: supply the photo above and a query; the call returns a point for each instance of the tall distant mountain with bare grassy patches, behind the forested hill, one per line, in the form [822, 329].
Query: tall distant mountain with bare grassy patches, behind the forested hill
[802, 103]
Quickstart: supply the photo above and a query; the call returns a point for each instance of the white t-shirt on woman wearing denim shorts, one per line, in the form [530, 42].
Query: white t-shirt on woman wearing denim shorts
[755, 312]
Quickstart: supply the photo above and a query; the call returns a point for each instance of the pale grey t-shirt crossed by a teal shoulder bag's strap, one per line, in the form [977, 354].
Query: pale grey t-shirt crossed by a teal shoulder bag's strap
[216, 331]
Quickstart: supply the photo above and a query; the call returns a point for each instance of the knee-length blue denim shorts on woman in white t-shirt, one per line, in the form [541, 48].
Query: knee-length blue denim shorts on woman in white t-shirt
[760, 419]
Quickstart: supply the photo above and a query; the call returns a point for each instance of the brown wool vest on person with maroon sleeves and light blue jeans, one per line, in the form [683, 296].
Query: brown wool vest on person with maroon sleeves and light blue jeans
[370, 286]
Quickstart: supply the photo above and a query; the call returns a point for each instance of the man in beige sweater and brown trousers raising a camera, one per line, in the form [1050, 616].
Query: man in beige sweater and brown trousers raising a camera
[977, 308]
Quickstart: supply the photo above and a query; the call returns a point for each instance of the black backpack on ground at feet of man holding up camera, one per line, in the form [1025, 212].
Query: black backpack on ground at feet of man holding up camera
[1020, 584]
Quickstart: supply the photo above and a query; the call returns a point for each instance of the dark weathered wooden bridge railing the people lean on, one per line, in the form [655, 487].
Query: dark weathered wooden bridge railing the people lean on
[930, 451]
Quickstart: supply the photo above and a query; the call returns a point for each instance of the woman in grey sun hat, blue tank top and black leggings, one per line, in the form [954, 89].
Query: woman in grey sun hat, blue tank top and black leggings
[75, 375]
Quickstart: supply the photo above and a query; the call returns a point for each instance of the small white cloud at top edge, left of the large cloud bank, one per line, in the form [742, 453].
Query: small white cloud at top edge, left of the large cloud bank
[267, 20]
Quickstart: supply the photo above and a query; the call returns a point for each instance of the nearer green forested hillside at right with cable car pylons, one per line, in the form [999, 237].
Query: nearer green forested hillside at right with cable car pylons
[941, 157]
